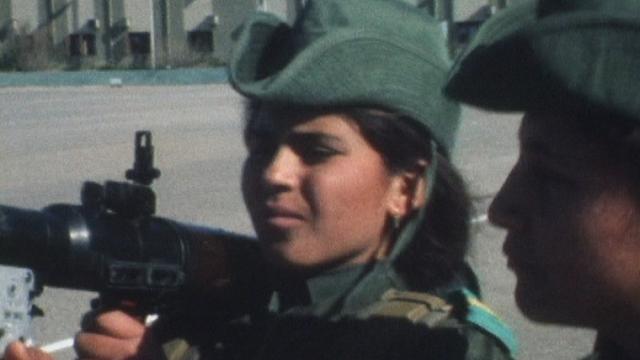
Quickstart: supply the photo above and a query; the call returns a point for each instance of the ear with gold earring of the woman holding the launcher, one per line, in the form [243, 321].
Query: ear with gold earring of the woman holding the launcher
[408, 191]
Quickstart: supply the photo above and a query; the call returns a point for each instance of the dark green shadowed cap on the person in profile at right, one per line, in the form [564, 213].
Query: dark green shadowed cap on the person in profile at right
[552, 54]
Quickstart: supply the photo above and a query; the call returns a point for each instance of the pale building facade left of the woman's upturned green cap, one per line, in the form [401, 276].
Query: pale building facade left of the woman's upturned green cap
[151, 32]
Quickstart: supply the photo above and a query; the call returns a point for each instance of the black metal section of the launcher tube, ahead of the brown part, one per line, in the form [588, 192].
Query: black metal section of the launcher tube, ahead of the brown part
[92, 247]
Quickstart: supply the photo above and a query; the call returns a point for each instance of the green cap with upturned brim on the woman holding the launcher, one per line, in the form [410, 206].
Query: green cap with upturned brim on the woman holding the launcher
[379, 53]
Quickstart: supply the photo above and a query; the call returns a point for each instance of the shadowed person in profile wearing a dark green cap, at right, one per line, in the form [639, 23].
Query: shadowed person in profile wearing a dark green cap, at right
[571, 204]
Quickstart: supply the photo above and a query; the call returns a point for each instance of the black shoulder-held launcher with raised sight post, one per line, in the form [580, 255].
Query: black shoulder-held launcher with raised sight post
[113, 243]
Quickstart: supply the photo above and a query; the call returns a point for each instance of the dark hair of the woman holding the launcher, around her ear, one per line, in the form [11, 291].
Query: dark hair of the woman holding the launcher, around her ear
[443, 236]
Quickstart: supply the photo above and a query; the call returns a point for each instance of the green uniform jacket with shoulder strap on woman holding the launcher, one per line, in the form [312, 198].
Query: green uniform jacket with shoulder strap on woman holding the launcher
[359, 312]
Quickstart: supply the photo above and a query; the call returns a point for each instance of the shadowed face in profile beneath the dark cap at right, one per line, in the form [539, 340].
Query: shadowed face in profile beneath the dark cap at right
[572, 226]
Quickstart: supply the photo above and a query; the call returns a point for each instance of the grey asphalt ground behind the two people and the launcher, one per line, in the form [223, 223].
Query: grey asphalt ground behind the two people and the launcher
[53, 139]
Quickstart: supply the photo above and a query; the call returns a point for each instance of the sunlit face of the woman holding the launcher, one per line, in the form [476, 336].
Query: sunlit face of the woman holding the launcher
[318, 194]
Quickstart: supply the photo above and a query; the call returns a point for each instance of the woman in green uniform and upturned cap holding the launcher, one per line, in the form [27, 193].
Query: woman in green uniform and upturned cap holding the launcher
[361, 219]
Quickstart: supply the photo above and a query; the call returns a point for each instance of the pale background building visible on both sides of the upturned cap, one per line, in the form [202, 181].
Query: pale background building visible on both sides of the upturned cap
[162, 33]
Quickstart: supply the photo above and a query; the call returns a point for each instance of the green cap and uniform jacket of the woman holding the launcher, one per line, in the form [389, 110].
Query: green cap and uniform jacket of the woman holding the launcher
[382, 54]
